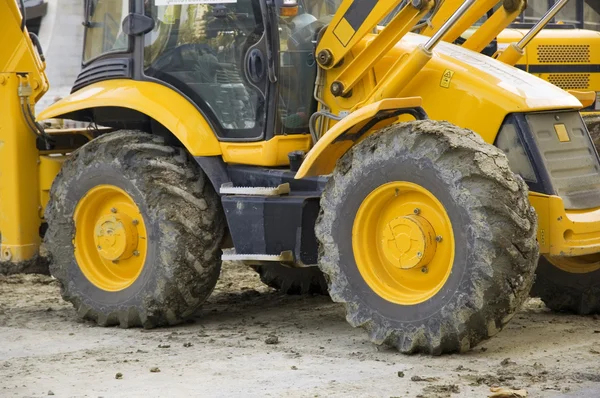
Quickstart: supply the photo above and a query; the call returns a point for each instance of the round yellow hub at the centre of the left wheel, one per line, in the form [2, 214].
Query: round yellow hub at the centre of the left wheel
[116, 237]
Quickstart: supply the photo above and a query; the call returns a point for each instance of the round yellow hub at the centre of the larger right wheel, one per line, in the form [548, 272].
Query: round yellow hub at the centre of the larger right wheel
[408, 242]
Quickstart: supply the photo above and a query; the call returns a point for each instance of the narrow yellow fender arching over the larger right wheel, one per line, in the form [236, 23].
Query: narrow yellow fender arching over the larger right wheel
[321, 159]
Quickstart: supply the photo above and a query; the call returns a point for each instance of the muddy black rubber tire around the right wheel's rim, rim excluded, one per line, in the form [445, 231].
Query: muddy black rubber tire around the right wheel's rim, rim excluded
[496, 251]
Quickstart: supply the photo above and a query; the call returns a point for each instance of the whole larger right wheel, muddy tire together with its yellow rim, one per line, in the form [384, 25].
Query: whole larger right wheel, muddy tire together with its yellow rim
[434, 168]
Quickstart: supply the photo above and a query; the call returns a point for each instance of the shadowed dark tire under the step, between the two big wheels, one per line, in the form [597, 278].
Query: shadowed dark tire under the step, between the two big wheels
[287, 280]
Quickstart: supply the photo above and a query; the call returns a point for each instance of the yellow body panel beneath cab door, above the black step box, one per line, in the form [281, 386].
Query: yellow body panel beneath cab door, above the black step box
[273, 152]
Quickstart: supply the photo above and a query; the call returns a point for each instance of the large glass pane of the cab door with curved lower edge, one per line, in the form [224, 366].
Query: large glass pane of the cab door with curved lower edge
[201, 49]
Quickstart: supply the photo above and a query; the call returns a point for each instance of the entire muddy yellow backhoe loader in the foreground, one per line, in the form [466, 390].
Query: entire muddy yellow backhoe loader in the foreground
[203, 125]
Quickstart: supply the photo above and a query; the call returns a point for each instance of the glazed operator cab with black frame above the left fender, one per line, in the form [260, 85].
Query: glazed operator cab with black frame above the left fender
[222, 57]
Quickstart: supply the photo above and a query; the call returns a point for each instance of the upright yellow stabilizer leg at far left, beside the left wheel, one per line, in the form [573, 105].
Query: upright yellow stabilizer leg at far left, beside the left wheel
[19, 188]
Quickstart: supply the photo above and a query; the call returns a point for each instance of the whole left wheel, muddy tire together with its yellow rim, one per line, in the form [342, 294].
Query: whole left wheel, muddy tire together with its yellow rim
[178, 228]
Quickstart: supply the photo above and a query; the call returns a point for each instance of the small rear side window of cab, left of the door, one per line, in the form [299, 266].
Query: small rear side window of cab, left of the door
[103, 32]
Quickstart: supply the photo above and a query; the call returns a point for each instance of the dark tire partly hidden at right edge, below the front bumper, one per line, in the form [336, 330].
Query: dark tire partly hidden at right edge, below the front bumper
[564, 291]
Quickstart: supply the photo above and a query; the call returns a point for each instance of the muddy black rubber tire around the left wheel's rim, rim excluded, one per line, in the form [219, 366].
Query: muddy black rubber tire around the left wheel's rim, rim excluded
[182, 214]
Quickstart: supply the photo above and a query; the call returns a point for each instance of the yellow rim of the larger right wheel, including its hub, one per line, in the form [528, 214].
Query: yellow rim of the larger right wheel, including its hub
[403, 243]
